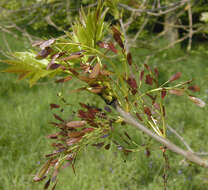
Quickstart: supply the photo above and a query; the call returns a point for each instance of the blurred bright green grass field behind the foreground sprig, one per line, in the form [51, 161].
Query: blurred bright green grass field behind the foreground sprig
[25, 113]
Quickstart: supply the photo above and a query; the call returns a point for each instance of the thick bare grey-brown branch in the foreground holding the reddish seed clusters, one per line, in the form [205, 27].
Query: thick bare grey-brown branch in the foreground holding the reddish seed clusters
[168, 144]
